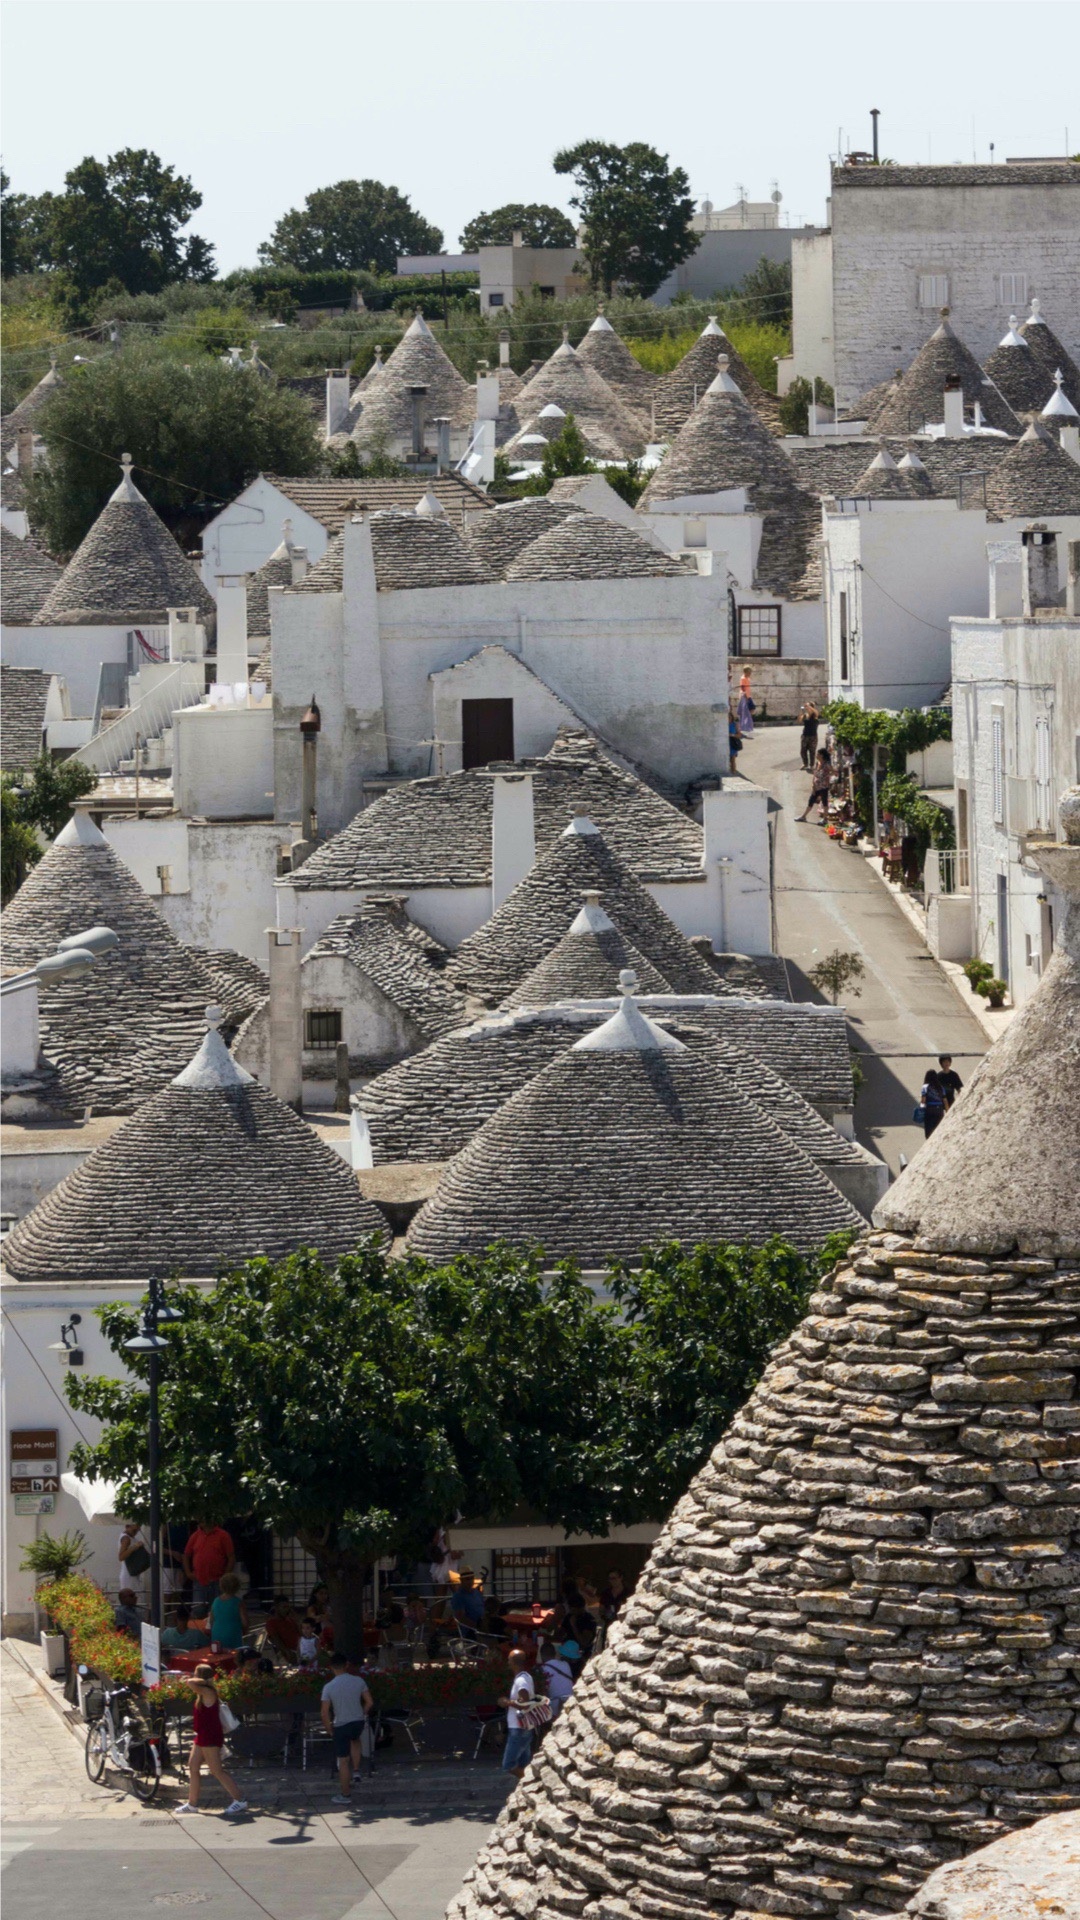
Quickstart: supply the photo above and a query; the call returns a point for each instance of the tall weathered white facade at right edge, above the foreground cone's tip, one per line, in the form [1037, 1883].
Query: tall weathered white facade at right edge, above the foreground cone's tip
[1016, 748]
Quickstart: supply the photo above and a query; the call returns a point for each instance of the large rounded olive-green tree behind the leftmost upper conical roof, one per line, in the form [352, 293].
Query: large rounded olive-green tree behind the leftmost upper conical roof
[197, 433]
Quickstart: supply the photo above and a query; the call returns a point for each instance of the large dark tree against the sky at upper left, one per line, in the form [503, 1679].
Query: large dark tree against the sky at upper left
[118, 222]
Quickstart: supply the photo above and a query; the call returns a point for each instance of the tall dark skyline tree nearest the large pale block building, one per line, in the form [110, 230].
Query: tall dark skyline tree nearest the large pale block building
[635, 208]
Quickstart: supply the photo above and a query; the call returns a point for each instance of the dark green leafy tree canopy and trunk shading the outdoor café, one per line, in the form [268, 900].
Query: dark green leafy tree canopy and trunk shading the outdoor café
[360, 1404]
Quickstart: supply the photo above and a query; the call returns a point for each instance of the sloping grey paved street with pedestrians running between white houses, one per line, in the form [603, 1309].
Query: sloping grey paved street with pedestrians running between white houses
[827, 898]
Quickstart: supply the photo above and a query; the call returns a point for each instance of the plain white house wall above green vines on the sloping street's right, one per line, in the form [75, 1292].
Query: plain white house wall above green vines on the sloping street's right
[895, 575]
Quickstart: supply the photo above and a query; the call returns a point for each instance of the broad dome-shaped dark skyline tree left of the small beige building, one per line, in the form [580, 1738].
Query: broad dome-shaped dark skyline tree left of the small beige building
[355, 224]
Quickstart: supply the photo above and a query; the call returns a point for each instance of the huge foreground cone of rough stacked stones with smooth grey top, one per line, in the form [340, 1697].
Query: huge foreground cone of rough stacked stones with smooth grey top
[850, 1656]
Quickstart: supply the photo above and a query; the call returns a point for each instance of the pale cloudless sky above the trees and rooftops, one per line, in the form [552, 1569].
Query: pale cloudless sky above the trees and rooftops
[462, 103]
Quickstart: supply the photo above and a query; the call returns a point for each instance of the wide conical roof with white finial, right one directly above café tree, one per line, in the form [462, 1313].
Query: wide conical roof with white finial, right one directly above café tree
[622, 1143]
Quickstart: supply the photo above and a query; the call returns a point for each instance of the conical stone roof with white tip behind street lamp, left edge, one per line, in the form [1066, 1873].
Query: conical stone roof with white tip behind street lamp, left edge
[128, 1024]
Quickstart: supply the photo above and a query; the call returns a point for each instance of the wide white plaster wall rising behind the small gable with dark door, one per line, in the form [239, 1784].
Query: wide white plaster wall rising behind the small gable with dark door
[643, 663]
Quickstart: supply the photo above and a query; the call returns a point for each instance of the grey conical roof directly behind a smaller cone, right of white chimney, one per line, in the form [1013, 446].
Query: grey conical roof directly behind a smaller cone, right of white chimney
[545, 905]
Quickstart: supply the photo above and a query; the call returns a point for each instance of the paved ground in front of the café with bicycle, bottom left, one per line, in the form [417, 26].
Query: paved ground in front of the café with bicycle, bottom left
[95, 1854]
